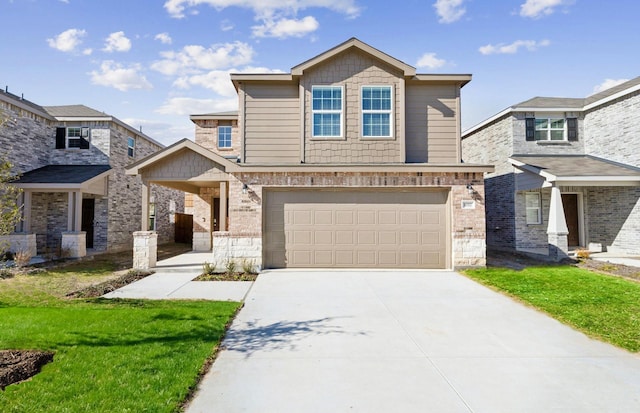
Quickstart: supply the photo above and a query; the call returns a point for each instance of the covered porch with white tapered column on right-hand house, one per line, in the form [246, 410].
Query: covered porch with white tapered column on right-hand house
[572, 202]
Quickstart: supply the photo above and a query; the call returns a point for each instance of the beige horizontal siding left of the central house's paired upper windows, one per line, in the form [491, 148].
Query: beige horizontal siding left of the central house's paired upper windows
[272, 123]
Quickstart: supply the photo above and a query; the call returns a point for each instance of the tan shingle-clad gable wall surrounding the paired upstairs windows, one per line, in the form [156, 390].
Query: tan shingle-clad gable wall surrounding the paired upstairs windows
[353, 70]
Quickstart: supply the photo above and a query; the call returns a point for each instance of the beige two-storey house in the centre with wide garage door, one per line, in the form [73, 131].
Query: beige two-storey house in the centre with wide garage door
[350, 160]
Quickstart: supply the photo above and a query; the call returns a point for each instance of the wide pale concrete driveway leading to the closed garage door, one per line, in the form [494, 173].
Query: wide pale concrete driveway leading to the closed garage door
[407, 341]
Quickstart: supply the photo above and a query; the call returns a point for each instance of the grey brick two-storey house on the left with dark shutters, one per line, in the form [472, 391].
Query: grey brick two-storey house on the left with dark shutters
[76, 195]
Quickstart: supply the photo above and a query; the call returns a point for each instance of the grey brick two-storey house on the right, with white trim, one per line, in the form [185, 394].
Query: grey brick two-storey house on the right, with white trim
[567, 173]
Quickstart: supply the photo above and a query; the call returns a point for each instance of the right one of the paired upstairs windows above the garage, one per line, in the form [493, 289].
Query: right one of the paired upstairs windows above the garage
[376, 111]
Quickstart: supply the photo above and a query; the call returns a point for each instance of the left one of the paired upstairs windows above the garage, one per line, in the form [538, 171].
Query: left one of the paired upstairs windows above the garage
[327, 111]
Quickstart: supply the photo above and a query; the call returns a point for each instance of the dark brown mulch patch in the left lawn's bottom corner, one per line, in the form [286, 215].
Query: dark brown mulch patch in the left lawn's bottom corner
[20, 365]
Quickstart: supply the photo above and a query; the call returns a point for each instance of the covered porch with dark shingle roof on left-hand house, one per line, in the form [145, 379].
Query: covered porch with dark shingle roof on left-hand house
[58, 209]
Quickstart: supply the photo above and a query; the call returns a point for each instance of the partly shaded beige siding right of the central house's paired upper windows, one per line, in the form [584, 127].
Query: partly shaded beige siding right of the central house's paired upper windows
[431, 128]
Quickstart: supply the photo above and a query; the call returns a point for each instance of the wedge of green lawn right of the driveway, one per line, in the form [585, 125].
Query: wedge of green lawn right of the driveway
[601, 306]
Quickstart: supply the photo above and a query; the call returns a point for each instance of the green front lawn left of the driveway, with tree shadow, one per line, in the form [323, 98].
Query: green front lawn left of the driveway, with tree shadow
[110, 355]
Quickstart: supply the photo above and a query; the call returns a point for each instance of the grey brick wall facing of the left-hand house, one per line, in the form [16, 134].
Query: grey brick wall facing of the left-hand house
[29, 137]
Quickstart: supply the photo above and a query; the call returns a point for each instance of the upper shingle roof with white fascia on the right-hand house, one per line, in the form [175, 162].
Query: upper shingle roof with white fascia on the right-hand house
[556, 104]
